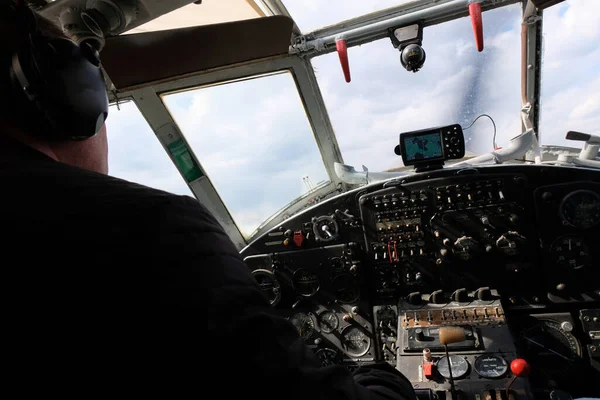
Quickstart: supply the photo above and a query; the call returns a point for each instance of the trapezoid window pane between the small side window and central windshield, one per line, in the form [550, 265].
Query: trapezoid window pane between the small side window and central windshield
[255, 143]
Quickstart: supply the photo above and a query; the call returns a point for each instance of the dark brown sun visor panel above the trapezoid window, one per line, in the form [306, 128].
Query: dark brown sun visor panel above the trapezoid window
[145, 58]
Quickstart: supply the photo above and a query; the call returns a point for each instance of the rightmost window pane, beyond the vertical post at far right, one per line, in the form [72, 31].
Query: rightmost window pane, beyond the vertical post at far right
[570, 92]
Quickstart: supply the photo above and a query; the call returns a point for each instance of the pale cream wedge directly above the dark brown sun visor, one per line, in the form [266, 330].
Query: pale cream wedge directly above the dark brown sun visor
[207, 13]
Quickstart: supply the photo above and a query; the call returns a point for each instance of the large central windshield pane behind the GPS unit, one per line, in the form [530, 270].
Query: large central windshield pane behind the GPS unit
[456, 84]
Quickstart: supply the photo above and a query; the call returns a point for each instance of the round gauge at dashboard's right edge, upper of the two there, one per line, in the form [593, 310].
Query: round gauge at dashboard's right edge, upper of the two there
[581, 209]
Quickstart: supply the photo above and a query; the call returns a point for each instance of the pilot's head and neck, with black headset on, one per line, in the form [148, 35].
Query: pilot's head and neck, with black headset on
[44, 120]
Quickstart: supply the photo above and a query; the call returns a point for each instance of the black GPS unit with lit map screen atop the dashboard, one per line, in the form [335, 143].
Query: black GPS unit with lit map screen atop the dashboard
[428, 149]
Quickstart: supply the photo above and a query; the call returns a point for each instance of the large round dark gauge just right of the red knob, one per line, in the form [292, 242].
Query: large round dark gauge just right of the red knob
[549, 349]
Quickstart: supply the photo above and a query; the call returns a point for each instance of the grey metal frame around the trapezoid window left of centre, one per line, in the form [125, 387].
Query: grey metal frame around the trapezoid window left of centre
[149, 101]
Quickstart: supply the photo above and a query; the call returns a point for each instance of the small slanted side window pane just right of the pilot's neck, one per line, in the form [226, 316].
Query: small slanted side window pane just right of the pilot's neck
[136, 155]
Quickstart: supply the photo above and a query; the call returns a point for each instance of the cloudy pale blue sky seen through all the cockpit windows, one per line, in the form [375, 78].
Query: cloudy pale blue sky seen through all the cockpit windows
[254, 142]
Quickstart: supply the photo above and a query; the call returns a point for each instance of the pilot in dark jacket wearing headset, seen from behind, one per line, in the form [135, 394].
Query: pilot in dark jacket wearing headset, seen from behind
[112, 288]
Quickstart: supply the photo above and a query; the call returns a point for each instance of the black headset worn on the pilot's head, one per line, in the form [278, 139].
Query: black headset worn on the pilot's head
[60, 79]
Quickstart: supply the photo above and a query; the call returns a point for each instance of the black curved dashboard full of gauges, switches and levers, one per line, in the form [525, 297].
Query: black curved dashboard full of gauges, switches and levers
[509, 254]
